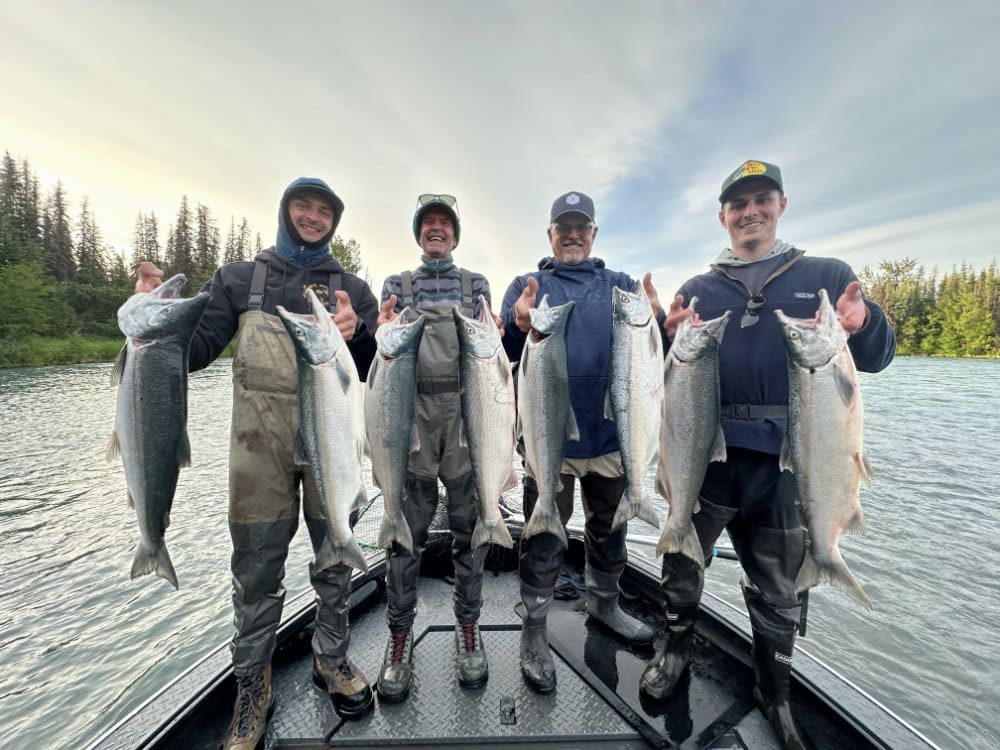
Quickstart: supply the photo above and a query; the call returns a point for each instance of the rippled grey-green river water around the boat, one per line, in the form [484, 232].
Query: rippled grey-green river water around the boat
[81, 645]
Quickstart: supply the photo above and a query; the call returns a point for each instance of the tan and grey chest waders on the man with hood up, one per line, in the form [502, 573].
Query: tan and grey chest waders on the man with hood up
[264, 486]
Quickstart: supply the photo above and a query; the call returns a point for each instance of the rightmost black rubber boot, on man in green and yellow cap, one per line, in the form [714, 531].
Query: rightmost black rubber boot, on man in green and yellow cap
[772, 666]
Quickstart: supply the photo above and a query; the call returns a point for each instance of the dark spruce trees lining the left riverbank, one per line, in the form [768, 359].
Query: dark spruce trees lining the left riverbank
[59, 278]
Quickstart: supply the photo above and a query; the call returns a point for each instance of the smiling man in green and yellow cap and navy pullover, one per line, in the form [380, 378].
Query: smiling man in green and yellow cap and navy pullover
[749, 494]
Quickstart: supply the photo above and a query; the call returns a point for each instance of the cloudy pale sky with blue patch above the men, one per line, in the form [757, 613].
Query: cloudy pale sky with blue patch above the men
[884, 117]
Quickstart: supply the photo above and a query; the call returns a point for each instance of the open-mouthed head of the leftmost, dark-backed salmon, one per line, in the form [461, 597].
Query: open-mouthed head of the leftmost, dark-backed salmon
[162, 312]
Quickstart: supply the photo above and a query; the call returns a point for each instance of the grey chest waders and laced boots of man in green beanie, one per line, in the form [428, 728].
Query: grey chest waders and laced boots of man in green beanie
[438, 417]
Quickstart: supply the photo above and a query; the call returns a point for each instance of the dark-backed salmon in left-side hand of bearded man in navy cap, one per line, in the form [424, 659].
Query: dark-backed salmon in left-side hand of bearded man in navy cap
[544, 412]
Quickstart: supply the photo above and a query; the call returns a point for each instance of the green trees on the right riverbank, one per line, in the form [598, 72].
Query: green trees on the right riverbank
[956, 314]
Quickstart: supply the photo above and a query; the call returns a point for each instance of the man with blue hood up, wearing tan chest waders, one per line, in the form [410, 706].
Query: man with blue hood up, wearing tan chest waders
[264, 480]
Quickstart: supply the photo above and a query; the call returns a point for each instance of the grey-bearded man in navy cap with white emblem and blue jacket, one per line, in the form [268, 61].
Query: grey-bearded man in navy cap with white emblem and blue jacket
[571, 274]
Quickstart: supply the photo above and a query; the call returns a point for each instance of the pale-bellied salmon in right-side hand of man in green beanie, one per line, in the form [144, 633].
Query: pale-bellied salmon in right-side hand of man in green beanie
[489, 418]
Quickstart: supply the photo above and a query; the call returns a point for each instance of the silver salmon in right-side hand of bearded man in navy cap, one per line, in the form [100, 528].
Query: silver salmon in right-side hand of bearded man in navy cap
[634, 400]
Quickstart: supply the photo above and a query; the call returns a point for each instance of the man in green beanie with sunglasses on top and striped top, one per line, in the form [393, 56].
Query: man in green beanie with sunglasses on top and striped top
[434, 288]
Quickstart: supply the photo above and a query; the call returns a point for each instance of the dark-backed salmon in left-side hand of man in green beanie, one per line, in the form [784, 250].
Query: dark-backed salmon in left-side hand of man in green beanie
[392, 433]
